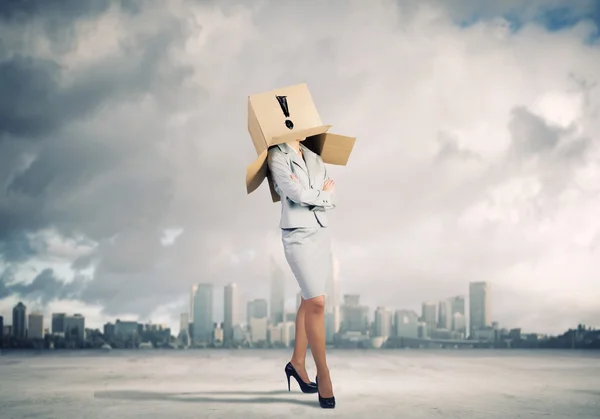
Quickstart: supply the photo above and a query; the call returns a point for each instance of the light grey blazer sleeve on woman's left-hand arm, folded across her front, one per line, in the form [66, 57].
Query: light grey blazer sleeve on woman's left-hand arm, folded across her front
[281, 172]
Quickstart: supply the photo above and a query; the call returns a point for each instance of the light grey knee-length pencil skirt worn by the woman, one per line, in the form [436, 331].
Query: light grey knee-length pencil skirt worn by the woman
[308, 252]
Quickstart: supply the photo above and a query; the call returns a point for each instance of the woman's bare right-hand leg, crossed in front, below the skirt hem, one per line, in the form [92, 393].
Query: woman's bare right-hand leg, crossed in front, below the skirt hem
[315, 331]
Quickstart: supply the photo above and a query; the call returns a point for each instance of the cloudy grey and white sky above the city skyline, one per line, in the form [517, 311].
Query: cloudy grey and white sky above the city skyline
[124, 143]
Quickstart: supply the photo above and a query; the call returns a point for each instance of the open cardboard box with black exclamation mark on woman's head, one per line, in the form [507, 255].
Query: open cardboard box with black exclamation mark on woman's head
[285, 115]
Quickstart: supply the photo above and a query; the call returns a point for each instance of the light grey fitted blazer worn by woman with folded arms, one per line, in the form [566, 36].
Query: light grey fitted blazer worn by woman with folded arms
[303, 202]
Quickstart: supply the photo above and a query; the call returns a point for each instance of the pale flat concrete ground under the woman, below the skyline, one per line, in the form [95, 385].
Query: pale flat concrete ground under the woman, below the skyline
[251, 384]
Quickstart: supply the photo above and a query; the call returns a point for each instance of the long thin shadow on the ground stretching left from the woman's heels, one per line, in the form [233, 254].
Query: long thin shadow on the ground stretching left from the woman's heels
[263, 397]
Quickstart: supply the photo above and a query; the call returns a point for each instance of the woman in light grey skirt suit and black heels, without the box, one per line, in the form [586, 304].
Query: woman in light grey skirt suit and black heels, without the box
[300, 179]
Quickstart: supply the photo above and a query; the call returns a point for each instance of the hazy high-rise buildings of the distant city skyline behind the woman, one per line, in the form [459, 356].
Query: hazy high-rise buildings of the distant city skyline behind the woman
[349, 315]
